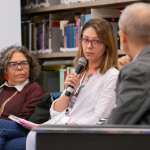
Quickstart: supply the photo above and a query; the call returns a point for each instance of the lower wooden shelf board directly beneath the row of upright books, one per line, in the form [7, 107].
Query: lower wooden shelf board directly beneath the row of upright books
[65, 54]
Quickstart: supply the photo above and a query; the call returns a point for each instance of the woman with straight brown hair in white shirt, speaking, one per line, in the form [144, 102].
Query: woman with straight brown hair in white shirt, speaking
[96, 98]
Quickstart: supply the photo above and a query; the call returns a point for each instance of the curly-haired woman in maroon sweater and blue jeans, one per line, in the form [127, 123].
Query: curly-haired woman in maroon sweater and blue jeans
[19, 94]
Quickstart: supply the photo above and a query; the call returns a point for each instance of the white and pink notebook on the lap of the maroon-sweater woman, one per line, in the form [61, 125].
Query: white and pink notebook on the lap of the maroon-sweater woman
[26, 124]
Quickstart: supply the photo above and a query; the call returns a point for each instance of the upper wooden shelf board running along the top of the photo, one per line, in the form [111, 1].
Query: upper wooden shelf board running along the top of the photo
[63, 8]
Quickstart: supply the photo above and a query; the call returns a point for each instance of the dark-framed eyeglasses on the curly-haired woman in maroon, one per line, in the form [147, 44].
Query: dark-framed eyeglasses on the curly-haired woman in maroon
[14, 65]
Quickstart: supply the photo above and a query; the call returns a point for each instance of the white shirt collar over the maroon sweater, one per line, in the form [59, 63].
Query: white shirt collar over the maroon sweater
[19, 87]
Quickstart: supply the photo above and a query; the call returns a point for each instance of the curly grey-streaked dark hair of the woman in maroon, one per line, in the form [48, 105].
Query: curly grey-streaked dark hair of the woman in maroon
[5, 56]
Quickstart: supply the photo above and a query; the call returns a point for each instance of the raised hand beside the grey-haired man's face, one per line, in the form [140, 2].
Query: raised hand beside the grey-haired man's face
[122, 61]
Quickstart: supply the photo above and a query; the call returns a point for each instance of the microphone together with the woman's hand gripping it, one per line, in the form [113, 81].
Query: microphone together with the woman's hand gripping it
[74, 81]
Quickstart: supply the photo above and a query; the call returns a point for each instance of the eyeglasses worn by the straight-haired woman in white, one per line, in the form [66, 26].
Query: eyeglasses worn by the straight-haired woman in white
[94, 43]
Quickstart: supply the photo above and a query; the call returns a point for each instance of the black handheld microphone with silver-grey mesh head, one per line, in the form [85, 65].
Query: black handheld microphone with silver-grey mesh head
[81, 63]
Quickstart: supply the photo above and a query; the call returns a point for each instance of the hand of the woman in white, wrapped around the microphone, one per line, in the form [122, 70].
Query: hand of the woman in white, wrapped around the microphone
[72, 80]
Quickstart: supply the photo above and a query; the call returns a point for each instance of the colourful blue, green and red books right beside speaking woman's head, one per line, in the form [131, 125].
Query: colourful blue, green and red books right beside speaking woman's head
[70, 33]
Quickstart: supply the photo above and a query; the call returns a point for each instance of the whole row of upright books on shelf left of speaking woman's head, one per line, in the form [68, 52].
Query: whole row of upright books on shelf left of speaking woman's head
[53, 35]
